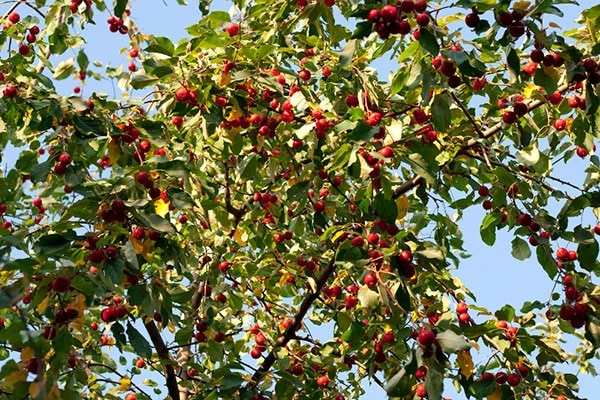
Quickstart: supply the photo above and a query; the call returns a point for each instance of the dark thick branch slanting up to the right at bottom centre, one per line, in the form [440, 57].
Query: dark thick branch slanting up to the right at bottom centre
[290, 332]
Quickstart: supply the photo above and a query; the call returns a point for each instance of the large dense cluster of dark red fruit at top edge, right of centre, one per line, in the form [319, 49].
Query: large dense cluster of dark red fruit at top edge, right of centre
[393, 19]
